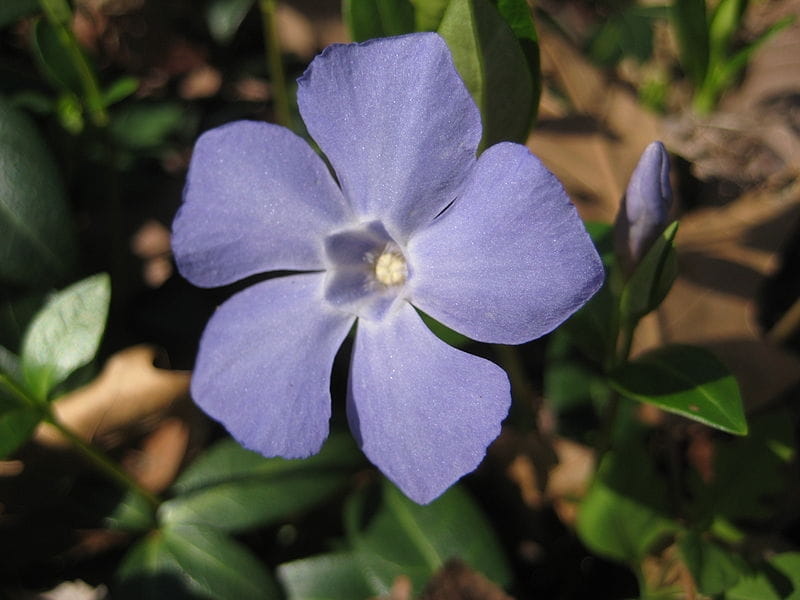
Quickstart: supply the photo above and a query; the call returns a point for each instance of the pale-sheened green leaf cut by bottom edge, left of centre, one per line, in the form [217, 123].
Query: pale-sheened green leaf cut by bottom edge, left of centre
[335, 576]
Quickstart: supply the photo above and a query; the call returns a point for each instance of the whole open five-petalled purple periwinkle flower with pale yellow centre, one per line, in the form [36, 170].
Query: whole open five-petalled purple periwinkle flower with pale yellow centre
[491, 247]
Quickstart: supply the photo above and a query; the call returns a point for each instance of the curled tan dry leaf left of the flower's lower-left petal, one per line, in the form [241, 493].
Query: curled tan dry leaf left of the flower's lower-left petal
[127, 392]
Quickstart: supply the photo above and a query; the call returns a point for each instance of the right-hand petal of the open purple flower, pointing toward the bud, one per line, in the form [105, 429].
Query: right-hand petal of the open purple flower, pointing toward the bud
[510, 259]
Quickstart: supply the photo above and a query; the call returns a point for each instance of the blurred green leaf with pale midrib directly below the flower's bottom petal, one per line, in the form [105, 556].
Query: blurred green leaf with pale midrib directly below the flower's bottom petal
[404, 538]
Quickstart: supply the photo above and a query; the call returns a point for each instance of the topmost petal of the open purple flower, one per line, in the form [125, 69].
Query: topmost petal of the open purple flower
[397, 123]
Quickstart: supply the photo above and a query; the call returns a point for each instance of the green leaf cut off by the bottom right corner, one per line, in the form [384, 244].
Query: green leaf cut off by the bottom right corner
[779, 579]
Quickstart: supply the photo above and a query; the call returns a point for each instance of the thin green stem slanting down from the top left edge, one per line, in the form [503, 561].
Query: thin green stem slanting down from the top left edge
[59, 14]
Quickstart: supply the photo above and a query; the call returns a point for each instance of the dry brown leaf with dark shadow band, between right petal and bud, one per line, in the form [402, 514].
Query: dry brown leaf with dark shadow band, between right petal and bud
[594, 147]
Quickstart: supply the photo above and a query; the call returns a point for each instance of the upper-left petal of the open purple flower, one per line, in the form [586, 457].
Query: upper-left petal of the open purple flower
[257, 199]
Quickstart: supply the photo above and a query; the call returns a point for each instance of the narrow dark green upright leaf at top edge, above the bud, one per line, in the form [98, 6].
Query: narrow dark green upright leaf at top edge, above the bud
[689, 18]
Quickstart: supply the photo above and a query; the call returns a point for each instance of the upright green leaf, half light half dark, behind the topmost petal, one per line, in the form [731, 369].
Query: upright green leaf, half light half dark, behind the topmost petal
[494, 68]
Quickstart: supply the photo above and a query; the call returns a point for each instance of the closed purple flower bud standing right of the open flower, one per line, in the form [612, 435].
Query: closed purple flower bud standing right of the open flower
[645, 207]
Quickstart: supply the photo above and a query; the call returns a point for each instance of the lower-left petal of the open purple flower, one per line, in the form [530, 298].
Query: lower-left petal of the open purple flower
[264, 365]
